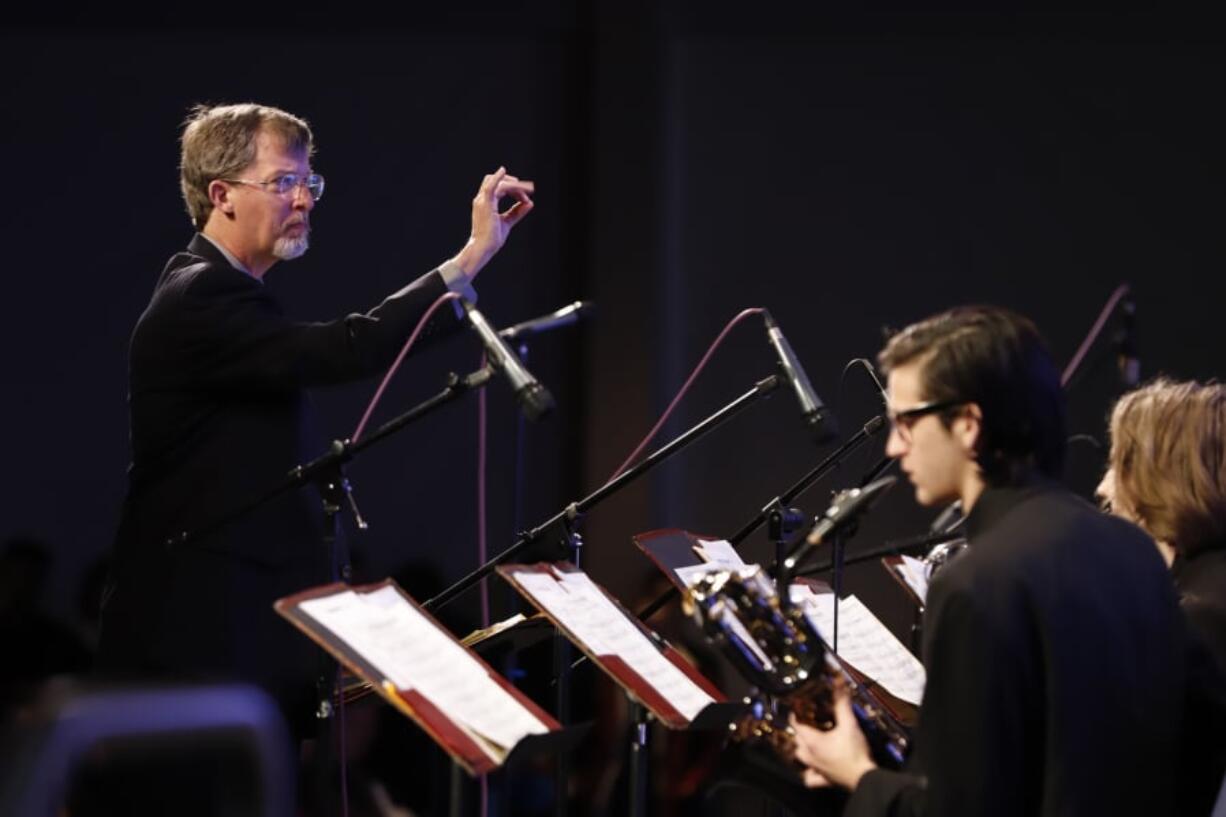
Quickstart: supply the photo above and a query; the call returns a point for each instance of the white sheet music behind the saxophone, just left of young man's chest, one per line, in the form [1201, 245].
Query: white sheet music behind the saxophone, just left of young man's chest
[865, 643]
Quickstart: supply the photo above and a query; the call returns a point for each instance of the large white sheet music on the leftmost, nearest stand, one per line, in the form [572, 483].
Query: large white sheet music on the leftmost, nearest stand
[413, 653]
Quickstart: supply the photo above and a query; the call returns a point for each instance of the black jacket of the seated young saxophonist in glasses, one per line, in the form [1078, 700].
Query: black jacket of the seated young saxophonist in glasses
[1055, 656]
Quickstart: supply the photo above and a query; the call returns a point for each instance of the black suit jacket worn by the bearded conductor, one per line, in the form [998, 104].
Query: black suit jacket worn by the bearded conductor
[219, 418]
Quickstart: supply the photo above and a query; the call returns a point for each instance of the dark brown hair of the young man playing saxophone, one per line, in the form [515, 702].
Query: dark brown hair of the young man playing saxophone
[997, 360]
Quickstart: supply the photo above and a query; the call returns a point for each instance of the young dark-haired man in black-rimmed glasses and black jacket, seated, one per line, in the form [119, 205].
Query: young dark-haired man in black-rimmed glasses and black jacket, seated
[1054, 647]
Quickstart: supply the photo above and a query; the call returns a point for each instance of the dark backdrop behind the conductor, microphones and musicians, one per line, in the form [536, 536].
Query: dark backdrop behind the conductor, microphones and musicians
[848, 171]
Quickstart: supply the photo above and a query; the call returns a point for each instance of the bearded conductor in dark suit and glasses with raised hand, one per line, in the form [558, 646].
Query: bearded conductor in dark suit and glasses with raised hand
[218, 378]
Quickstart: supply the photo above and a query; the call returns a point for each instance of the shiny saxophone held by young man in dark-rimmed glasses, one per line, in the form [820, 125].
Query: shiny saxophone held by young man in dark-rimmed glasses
[780, 652]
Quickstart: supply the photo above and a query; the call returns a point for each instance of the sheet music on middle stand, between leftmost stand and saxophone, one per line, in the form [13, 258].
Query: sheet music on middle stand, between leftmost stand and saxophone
[592, 618]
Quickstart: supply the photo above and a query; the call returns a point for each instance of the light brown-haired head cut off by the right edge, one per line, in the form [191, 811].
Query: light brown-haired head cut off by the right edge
[1168, 464]
